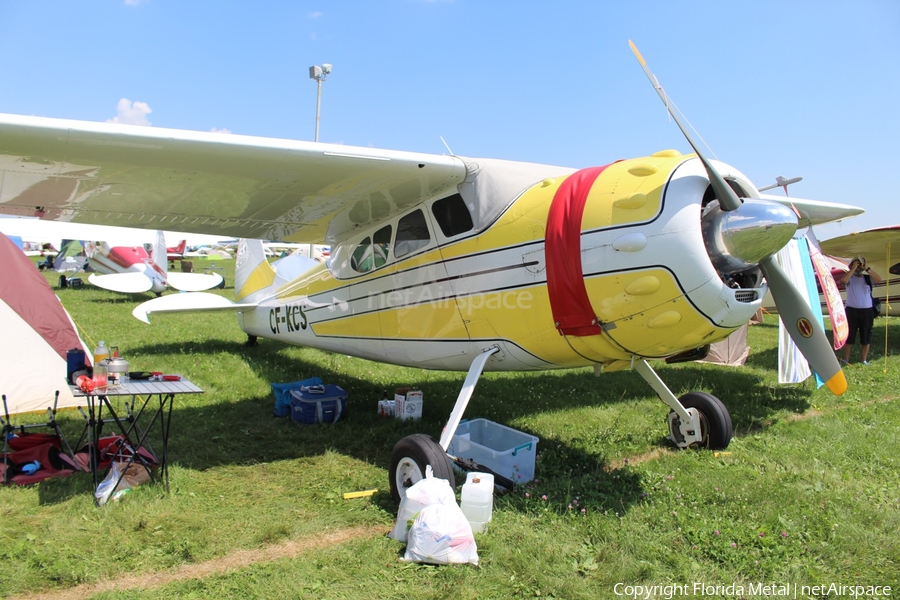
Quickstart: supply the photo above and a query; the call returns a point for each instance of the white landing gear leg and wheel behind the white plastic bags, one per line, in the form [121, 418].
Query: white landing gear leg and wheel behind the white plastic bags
[413, 454]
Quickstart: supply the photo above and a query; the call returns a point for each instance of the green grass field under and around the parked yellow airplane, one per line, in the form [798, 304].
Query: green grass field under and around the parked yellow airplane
[807, 494]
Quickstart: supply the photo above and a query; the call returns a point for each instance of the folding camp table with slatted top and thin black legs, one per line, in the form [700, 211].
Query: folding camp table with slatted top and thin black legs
[129, 425]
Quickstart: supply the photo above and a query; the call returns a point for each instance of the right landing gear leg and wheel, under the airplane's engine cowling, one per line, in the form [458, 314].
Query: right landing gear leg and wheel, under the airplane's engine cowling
[696, 419]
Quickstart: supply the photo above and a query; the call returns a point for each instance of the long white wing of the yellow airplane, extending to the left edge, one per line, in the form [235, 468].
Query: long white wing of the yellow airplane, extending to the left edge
[231, 185]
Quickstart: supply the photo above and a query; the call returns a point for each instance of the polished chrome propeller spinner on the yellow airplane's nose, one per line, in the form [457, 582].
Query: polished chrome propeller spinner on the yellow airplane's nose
[741, 238]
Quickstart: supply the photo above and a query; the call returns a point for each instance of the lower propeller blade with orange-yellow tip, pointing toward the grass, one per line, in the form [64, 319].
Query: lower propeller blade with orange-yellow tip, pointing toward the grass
[803, 327]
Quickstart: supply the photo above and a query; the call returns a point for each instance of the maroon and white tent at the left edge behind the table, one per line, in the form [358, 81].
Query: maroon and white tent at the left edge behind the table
[38, 333]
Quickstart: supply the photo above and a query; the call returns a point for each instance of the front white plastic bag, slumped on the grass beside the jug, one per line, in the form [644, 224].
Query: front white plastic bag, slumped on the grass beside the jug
[441, 535]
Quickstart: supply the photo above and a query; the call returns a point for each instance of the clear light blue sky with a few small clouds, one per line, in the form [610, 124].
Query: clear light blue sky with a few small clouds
[792, 88]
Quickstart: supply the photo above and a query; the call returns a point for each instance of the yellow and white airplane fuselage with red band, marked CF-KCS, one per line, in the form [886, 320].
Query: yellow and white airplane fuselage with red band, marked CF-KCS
[645, 270]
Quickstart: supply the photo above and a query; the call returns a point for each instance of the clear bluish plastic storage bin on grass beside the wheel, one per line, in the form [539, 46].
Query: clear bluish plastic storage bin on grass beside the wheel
[504, 450]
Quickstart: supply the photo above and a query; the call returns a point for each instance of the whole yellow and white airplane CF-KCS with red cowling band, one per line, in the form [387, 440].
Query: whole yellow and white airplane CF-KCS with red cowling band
[447, 262]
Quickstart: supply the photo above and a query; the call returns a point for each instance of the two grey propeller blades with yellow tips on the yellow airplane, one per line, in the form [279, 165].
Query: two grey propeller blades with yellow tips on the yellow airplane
[795, 312]
